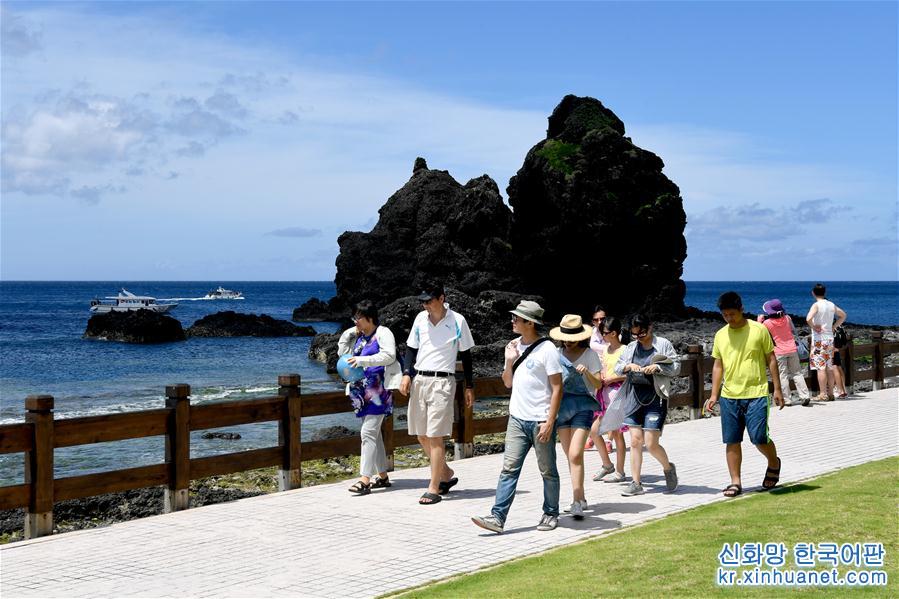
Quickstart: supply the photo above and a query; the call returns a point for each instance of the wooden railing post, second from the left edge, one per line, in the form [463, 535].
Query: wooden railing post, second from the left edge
[177, 448]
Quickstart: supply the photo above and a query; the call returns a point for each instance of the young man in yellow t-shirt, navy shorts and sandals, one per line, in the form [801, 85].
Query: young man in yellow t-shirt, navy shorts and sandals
[742, 350]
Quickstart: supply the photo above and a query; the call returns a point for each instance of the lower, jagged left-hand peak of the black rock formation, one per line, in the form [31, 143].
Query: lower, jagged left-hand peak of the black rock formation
[432, 228]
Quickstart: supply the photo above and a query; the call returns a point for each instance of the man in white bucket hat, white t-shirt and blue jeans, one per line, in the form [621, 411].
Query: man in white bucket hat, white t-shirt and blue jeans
[534, 373]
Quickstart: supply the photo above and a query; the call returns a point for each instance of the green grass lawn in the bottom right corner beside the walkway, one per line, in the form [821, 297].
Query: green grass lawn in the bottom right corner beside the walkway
[678, 555]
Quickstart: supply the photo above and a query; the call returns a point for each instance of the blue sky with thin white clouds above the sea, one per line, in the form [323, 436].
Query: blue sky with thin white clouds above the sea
[236, 141]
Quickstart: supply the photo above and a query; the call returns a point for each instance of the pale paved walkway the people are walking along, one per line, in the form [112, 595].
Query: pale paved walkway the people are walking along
[323, 542]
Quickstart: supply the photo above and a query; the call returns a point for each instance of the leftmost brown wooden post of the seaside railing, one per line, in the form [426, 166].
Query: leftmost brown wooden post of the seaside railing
[39, 466]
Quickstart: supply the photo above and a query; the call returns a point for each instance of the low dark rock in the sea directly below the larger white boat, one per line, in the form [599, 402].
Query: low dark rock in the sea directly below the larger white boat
[136, 326]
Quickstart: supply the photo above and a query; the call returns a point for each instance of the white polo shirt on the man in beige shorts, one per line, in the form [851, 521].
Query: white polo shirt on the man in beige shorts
[438, 344]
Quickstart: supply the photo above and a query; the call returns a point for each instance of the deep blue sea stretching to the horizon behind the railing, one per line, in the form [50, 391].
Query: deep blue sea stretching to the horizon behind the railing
[41, 351]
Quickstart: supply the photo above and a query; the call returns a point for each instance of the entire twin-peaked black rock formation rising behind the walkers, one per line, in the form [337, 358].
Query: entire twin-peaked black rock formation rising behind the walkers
[595, 221]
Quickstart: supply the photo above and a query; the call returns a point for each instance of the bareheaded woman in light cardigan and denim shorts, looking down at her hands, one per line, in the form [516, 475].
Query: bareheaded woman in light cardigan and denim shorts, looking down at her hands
[649, 362]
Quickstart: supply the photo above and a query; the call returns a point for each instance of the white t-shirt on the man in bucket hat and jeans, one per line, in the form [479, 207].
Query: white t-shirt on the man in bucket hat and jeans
[531, 391]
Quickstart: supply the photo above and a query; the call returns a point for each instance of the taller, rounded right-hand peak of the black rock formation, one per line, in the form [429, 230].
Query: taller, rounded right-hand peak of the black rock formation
[596, 220]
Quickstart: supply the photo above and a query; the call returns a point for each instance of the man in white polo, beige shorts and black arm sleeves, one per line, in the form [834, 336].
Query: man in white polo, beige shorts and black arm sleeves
[438, 336]
